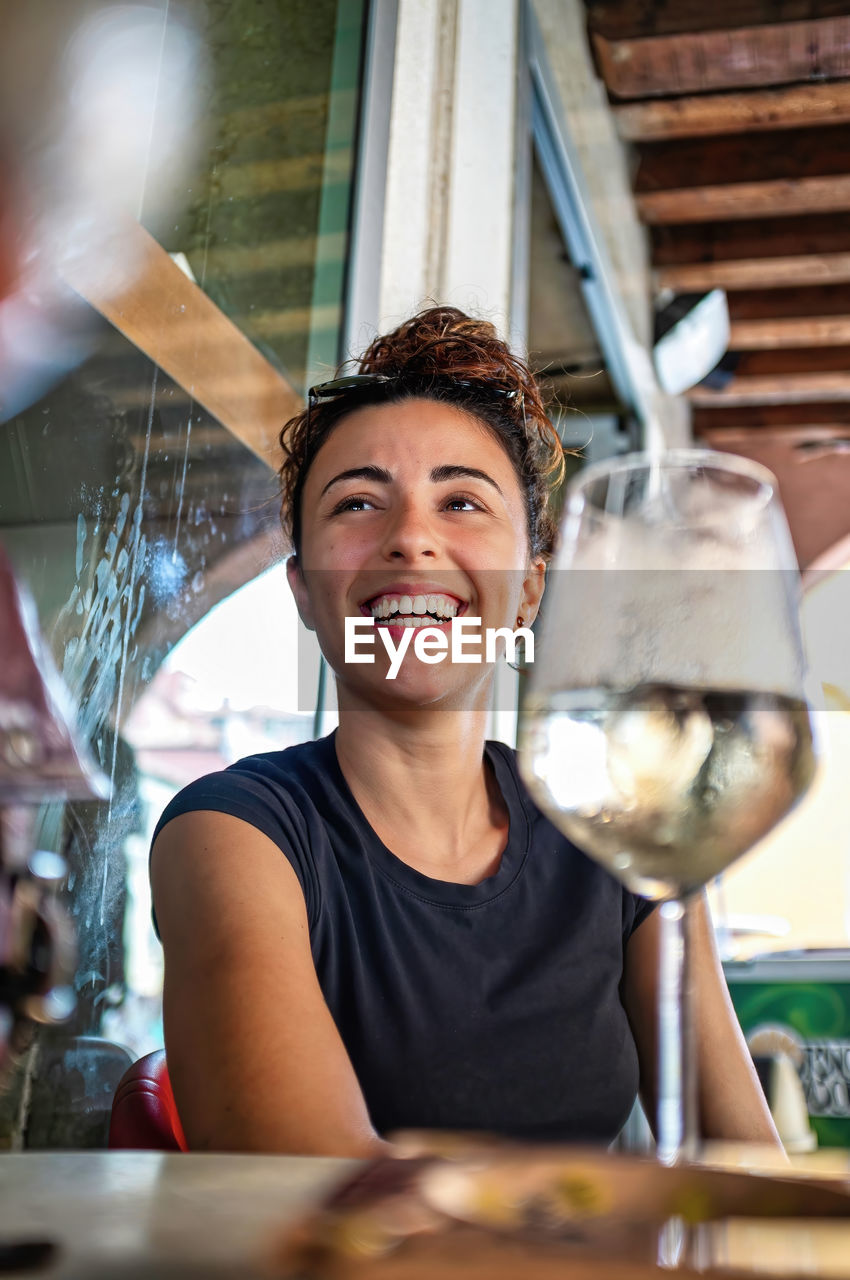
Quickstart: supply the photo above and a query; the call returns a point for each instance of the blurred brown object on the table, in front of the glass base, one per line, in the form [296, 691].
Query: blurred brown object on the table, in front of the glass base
[481, 1212]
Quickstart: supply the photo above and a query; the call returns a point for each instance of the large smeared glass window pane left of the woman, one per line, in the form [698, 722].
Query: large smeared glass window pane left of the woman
[134, 497]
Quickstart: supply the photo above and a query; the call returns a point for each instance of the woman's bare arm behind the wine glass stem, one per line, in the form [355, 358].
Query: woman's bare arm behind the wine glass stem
[733, 1105]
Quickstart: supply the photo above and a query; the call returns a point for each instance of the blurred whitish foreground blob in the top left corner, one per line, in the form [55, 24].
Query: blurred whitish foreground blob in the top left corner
[99, 115]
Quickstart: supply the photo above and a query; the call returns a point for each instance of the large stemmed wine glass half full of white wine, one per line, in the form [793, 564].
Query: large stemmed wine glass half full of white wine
[665, 726]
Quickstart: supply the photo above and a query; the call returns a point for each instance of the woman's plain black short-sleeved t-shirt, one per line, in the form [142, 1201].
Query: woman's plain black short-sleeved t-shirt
[488, 1007]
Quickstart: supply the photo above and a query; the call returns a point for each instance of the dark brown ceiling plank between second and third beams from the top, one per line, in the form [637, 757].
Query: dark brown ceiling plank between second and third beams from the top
[816, 153]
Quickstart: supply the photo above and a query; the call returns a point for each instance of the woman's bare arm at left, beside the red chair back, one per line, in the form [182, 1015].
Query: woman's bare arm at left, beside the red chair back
[254, 1055]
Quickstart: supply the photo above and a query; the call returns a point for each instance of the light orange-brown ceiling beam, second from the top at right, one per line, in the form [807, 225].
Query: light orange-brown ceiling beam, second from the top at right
[714, 115]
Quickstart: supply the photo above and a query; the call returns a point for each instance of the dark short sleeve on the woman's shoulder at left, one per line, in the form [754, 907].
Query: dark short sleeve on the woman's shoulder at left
[263, 804]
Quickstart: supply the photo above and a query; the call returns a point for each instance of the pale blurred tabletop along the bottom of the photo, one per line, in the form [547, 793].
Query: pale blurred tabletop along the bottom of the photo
[139, 1215]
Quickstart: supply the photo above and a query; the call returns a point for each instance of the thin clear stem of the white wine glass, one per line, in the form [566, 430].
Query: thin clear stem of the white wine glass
[678, 1096]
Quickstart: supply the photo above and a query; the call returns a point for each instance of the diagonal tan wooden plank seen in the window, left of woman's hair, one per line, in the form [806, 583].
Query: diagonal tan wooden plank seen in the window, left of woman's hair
[182, 331]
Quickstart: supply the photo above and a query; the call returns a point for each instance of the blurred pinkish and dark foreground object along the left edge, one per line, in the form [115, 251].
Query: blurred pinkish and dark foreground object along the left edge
[39, 761]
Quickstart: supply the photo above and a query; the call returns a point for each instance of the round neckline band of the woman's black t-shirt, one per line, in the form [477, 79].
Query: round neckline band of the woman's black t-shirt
[446, 893]
